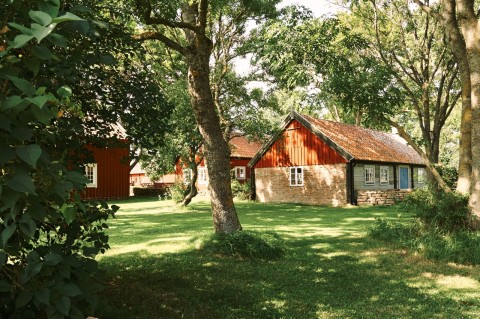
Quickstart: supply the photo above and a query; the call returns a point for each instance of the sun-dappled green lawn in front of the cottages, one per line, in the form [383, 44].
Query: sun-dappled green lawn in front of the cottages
[331, 269]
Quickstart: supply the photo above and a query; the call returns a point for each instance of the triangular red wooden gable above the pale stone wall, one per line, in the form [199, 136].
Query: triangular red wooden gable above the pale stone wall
[298, 146]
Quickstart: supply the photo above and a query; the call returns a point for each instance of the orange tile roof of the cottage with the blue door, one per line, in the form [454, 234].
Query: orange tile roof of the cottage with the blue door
[366, 144]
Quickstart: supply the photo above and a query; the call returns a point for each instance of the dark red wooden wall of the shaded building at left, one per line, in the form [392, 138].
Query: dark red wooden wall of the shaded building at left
[113, 173]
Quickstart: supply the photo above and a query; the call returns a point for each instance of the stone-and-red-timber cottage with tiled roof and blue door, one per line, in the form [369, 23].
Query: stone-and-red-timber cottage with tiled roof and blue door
[321, 162]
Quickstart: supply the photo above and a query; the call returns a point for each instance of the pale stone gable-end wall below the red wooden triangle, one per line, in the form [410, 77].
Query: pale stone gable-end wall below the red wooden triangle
[323, 185]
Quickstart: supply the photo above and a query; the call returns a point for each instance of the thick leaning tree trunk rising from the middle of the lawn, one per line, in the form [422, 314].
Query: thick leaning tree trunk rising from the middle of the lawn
[216, 149]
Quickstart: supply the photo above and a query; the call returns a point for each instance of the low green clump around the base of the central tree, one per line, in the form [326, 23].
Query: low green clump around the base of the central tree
[244, 245]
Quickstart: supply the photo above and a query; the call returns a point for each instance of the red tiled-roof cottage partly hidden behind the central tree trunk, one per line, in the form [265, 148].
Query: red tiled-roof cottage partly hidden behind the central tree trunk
[242, 151]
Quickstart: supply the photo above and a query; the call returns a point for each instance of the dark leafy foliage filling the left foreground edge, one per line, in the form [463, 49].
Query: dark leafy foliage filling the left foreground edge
[49, 237]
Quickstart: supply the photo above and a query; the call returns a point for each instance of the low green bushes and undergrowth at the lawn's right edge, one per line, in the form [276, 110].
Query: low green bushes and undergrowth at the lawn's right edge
[440, 229]
